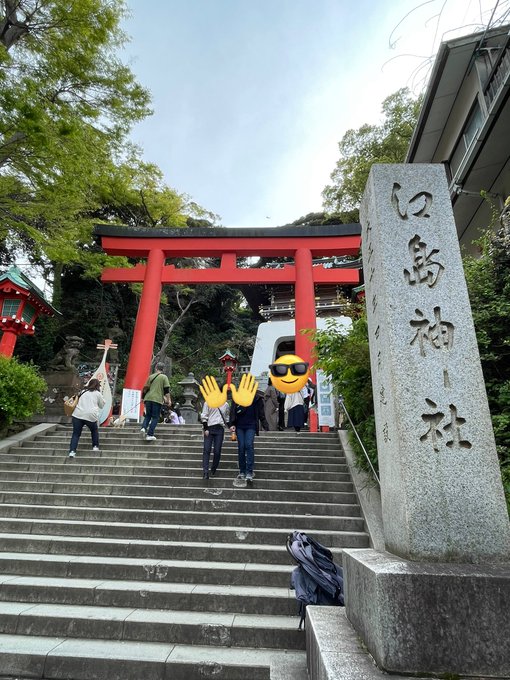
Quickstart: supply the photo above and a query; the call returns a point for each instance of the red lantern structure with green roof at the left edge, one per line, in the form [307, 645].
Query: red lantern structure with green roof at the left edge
[21, 302]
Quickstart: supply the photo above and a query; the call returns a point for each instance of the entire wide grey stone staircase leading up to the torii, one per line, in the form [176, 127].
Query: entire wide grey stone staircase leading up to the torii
[129, 566]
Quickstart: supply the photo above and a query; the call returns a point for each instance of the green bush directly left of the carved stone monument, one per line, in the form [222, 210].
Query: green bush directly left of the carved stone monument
[345, 357]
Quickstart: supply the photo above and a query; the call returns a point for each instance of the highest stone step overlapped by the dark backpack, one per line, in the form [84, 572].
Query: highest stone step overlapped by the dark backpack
[177, 532]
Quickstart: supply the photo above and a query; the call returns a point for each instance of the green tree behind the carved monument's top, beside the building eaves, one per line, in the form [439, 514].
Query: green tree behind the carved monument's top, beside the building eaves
[360, 149]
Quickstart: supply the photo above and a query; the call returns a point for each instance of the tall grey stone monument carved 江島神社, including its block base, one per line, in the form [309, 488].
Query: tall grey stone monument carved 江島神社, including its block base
[438, 600]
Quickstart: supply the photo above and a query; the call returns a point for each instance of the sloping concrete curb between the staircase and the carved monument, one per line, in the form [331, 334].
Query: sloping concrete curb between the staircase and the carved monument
[369, 495]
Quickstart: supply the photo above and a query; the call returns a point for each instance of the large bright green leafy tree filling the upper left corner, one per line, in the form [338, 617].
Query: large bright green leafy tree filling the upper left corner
[66, 106]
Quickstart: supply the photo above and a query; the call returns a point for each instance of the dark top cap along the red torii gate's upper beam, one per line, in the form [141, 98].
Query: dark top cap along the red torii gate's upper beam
[289, 231]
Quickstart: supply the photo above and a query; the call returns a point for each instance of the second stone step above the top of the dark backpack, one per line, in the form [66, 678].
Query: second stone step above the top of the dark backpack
[207, 504]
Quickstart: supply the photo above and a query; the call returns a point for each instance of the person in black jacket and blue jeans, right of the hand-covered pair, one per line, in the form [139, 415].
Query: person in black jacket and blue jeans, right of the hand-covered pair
[245, 422]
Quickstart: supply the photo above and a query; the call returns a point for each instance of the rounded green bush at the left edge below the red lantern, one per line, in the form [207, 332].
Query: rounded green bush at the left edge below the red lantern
[21, 391]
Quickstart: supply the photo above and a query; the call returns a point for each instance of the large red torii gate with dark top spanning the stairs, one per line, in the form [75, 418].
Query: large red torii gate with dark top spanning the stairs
[156, 245]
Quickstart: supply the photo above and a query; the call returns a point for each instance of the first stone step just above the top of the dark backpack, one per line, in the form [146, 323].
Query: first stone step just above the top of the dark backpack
[172, 517]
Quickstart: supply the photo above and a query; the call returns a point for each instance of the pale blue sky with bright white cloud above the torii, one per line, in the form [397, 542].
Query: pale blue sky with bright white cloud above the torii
[251, 97]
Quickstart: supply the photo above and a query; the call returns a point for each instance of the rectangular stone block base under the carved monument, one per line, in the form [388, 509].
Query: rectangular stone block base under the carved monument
[424, 618]
